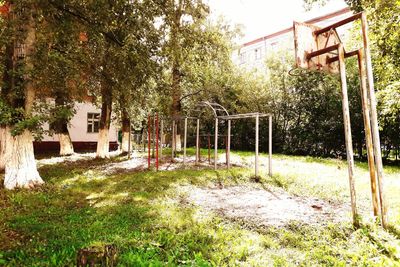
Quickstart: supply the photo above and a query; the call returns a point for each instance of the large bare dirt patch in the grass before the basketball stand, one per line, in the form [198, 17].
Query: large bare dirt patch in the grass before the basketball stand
[266, 207]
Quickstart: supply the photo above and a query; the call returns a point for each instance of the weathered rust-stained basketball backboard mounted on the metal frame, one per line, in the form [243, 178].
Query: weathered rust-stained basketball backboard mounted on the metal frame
[305, 42]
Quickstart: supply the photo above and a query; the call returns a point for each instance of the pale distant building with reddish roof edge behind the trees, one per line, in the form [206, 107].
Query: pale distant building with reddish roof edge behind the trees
[251, 55]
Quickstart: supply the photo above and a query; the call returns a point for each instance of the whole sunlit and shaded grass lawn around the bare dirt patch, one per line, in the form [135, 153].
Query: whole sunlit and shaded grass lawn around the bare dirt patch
[144, 213]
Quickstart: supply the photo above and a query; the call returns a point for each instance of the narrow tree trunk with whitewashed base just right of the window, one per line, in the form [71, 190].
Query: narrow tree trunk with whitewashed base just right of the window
[103, 143]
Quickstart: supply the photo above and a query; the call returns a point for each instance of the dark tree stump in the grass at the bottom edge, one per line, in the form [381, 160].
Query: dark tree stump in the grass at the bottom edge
[104, 256]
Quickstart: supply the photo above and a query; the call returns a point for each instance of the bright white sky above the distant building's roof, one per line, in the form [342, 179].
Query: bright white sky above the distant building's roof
[262, 17]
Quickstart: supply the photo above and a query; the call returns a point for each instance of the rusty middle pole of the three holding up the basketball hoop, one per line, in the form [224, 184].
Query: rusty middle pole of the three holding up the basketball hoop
[367, 129]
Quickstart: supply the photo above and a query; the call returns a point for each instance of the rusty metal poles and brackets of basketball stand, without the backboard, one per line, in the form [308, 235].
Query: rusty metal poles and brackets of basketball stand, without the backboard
[369, 113]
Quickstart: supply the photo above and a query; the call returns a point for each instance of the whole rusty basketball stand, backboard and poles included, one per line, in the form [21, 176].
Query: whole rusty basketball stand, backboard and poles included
[321, 49]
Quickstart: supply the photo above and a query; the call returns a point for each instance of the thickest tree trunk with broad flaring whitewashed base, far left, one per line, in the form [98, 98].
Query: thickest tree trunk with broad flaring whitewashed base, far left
[20, 167]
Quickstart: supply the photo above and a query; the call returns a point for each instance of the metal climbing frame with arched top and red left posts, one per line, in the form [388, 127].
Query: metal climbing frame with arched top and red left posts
[219, 113]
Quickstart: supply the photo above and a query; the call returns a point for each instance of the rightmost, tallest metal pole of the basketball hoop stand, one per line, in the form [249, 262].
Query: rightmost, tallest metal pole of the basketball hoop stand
[374, 122]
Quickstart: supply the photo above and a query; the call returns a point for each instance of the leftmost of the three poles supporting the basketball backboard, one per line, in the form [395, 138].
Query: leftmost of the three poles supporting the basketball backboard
[347, 132]
